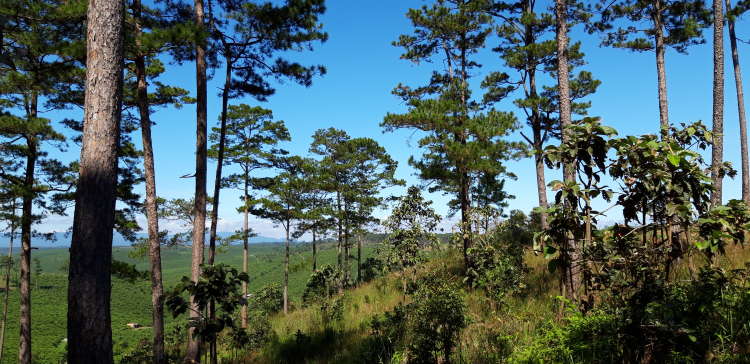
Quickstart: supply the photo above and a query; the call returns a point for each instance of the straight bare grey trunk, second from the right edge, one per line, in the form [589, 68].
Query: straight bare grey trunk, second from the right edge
[717, 151]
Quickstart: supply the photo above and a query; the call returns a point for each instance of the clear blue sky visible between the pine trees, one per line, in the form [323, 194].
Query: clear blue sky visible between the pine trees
[355, 95]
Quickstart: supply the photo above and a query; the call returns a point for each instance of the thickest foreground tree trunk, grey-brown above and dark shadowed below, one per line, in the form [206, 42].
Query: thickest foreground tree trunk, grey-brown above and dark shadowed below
[89, 281]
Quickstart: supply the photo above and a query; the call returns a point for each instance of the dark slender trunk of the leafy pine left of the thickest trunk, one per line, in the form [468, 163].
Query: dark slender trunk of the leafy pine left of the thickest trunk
[24, 353]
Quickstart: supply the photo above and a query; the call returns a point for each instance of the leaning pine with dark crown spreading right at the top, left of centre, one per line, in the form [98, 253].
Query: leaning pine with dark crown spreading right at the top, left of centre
[249, 36]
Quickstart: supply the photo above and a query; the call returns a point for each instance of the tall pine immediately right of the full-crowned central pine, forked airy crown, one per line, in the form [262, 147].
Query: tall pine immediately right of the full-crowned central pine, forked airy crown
[526, 49]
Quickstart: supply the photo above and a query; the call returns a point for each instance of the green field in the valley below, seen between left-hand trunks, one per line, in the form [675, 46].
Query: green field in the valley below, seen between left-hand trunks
[131, 302]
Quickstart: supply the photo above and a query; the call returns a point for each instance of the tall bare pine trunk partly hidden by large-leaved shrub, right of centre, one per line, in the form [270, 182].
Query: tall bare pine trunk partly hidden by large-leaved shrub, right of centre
[571, 271]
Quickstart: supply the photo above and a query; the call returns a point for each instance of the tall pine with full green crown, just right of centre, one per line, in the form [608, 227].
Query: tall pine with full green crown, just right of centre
[462, 136]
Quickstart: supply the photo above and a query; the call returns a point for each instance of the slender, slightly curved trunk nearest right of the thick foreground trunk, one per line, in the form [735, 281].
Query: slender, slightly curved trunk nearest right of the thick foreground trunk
[154, 247]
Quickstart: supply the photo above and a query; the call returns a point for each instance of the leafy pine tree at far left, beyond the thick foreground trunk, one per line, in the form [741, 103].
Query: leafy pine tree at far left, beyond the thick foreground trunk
[39, 48]
